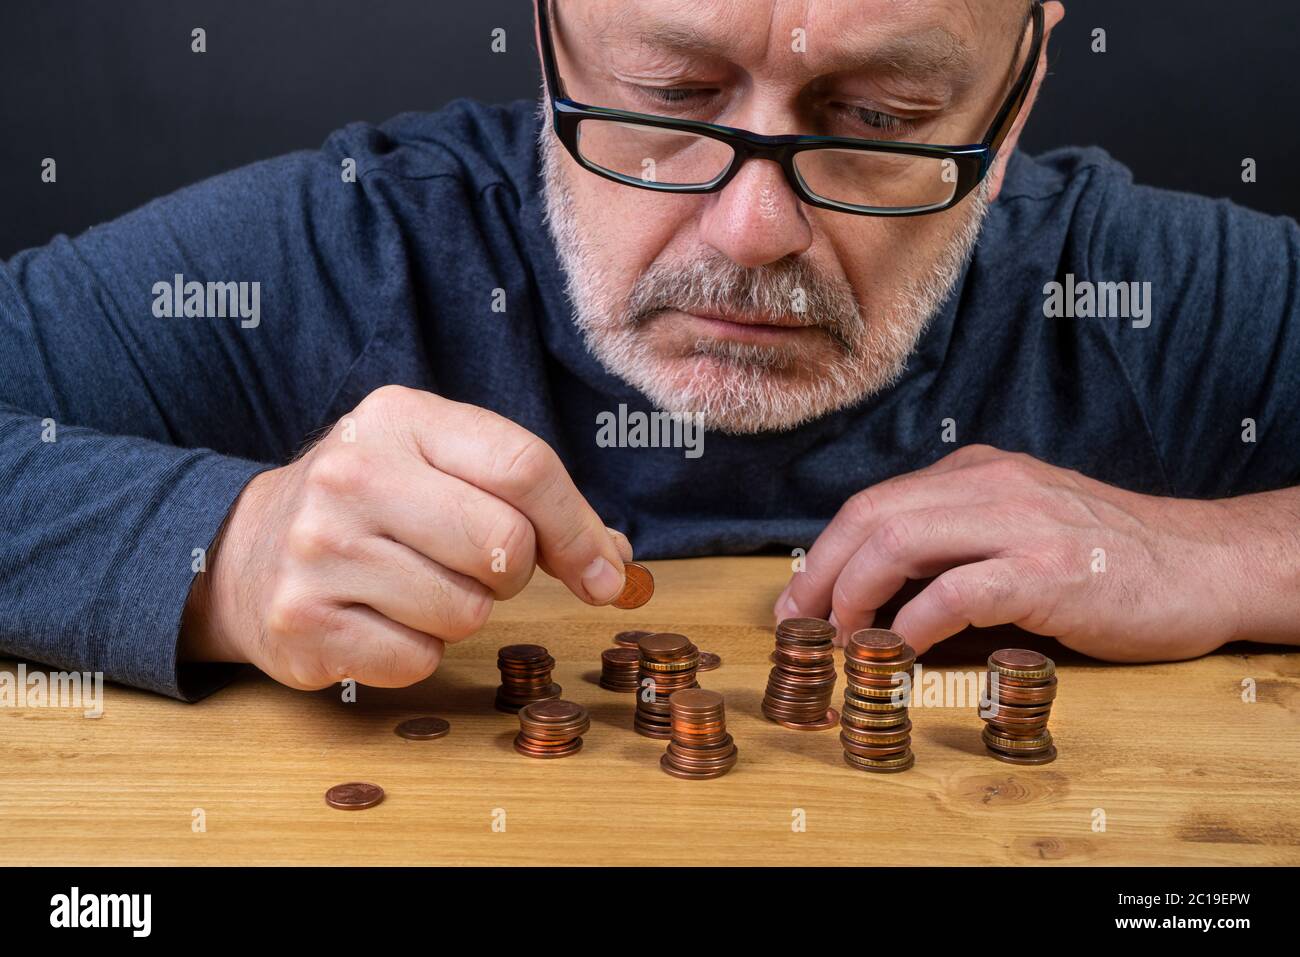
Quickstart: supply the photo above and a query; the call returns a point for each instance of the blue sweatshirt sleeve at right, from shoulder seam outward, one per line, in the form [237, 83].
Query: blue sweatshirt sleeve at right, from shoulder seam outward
[1215, 362]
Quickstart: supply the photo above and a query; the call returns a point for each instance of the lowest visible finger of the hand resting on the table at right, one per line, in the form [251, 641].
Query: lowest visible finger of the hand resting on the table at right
[982, 595]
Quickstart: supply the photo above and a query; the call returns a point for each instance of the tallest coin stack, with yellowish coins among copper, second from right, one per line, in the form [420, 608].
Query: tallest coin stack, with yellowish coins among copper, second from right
[874, 729]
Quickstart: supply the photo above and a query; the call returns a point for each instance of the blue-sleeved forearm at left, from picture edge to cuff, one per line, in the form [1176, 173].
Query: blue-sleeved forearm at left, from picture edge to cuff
[101, 542]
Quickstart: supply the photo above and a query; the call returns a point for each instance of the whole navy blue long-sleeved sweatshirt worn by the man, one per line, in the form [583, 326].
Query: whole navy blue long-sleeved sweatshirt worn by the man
[129, 425]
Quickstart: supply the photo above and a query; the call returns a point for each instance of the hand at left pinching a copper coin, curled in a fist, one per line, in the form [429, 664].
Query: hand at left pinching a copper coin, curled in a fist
[393, 535]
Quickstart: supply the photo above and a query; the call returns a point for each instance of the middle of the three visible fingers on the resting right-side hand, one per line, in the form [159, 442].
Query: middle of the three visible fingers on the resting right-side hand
[909, 547]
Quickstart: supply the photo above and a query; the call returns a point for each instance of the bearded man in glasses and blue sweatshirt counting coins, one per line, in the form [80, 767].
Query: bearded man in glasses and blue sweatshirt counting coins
[889, 347]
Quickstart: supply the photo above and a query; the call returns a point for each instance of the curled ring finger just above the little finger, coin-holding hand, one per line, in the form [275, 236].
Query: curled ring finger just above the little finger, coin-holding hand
[410, 590]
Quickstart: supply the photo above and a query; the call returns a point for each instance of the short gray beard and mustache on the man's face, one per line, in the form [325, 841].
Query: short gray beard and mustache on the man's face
[739, 388]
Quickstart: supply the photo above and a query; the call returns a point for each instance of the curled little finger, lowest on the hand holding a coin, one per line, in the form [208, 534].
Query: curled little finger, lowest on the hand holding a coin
[371, 649]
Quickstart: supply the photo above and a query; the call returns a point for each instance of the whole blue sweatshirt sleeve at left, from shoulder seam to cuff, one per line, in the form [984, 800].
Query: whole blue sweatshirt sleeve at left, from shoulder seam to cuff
[149, 370]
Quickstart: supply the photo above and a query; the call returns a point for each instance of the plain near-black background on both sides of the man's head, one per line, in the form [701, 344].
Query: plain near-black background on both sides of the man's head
[111, 90]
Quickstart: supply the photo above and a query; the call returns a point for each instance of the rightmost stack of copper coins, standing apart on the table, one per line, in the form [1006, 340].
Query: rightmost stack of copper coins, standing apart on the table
[1021, 691]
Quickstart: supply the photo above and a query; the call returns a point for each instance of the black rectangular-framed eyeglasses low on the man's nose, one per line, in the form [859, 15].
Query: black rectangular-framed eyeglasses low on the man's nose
[855, 176]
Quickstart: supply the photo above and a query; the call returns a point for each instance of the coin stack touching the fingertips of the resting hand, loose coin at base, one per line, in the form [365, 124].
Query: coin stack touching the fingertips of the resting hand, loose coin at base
[800, 687]
